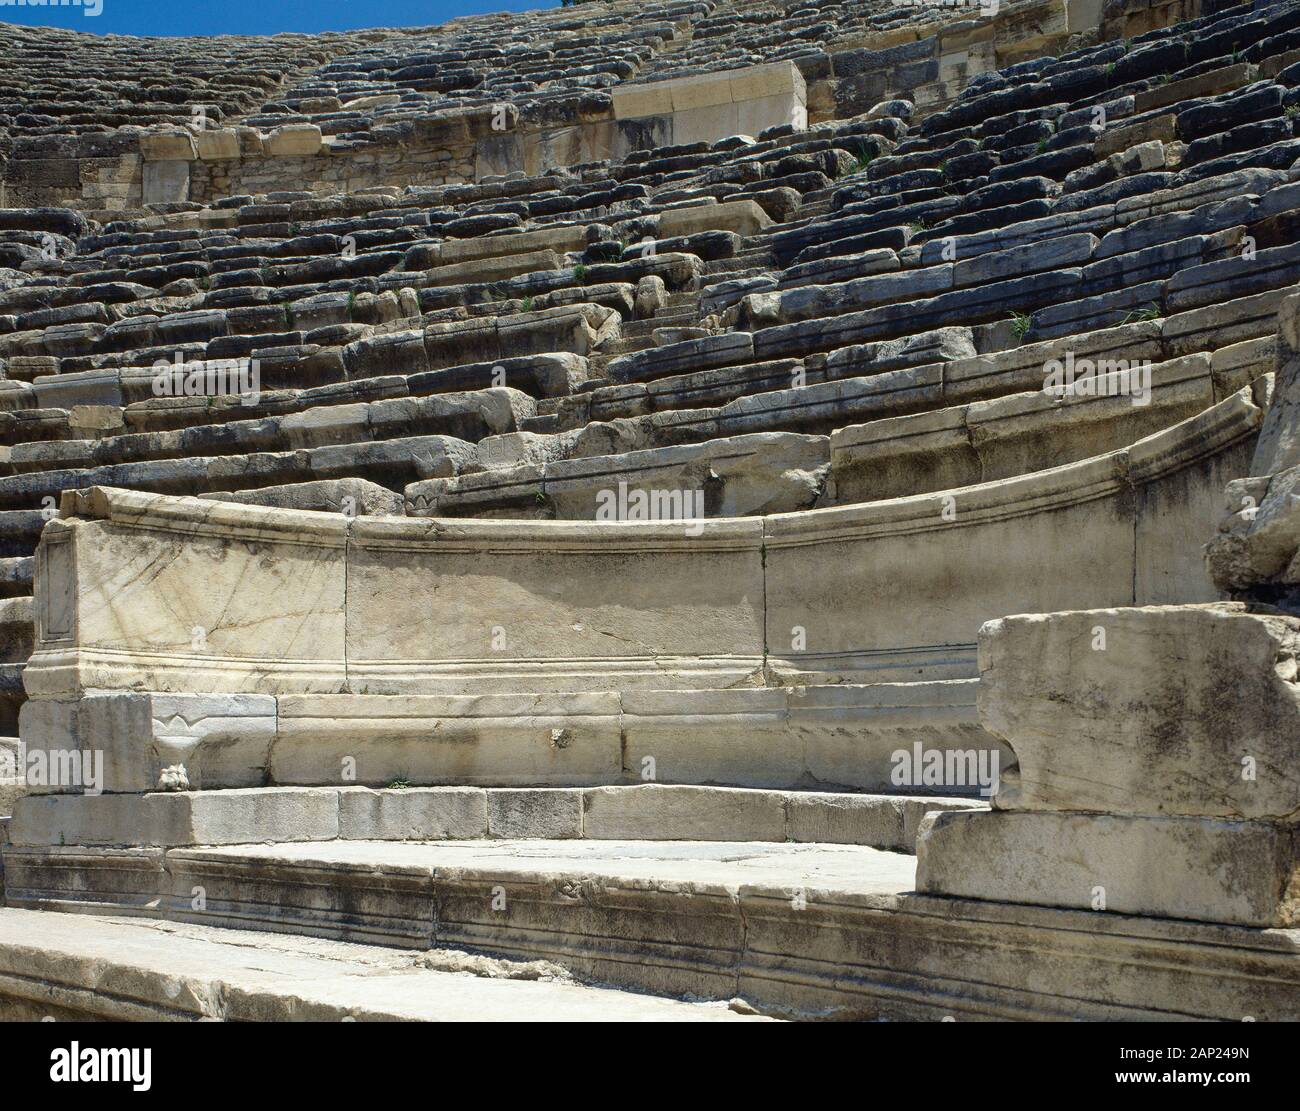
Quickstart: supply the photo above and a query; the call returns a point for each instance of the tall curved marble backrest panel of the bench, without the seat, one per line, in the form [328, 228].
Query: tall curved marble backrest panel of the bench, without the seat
[141, 592]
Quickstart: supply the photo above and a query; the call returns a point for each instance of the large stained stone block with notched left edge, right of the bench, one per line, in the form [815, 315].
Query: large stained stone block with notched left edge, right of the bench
[1189, 710]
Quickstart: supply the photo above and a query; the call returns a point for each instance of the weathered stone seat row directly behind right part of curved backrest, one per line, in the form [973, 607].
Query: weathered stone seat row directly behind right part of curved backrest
[739, 471]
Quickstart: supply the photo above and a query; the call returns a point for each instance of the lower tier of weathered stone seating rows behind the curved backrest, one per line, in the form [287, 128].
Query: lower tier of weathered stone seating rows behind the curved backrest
[384, 363]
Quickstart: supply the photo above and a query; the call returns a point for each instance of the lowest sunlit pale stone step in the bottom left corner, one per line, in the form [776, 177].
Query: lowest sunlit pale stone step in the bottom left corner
[72, 967]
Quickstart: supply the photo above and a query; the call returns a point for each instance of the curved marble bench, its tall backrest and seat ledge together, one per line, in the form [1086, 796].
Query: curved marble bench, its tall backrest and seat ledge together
[266, 646]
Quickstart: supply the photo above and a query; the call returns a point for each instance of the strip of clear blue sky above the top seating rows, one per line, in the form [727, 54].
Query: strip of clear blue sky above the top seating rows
[252, 18]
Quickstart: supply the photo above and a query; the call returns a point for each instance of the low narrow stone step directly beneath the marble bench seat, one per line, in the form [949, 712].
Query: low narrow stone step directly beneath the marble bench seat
[645, 813]
